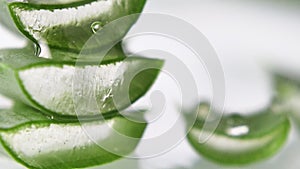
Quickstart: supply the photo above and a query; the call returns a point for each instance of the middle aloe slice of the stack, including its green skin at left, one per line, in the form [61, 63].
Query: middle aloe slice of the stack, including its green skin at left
[52, 86]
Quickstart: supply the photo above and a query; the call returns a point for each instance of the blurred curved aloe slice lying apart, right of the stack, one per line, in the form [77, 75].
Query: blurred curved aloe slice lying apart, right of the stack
[242, 139]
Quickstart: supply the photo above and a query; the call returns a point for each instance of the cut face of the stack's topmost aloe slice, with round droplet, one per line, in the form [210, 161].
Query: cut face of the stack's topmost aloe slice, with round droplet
[70, 26]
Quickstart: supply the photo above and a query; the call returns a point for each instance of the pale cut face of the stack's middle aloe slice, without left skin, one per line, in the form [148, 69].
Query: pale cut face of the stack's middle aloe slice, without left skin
[99, 82]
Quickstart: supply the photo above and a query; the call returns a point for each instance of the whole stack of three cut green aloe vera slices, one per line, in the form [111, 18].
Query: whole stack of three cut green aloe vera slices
[42, 130]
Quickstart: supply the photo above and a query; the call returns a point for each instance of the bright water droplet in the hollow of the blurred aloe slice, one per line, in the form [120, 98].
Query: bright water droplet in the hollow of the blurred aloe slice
[236, 126]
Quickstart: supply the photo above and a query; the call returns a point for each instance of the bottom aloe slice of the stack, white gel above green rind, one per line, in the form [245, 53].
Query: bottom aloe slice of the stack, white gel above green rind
[37, 142]
